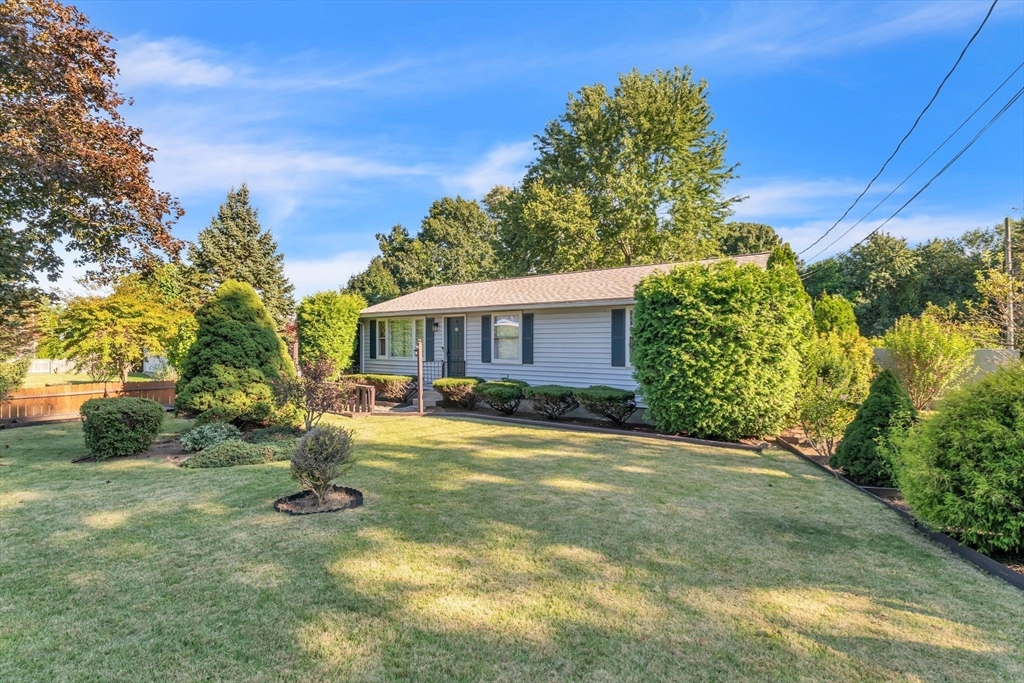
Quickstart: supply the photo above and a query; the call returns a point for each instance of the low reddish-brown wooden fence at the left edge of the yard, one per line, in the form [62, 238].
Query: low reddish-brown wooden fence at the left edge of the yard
[66, 400]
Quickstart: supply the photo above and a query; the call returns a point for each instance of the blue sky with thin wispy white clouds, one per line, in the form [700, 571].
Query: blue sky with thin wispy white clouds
[346, 119]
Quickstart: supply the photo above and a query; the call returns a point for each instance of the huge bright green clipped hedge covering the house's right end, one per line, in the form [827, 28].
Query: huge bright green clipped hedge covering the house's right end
[717, 350]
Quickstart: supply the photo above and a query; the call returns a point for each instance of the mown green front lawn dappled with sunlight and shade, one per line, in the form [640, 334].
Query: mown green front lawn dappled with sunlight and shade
[484, 552]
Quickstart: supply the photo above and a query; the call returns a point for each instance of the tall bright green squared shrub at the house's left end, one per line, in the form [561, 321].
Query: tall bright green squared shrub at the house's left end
[327, 323]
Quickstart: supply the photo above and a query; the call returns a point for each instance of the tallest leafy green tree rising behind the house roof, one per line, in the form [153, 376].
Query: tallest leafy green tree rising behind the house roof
[638, 174]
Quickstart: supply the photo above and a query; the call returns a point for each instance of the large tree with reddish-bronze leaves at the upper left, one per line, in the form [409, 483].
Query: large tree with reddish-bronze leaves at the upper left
[72, 172]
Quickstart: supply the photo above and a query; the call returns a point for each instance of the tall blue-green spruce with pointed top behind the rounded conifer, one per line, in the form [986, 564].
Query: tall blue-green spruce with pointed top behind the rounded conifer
[236, 247]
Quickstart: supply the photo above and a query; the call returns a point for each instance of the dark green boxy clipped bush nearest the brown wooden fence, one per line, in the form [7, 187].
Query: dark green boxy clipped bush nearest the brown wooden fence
[120, 426]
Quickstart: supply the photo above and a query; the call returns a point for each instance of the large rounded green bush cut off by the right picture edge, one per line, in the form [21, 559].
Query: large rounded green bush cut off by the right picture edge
[963, 469]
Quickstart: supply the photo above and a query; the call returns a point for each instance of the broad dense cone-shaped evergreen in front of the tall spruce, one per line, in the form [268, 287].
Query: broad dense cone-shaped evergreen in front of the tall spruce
[237, 355]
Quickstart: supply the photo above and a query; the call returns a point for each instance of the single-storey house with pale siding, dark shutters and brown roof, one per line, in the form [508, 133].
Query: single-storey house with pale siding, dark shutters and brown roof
[571, 329]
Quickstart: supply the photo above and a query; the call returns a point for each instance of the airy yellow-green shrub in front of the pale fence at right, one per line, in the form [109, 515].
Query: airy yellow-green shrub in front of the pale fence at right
[930, 356]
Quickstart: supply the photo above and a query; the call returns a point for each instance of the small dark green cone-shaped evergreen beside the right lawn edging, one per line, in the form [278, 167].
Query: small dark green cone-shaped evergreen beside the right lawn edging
[887, 405]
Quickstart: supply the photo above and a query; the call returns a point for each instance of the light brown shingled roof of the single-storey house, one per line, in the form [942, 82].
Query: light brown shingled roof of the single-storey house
[585, 287]
